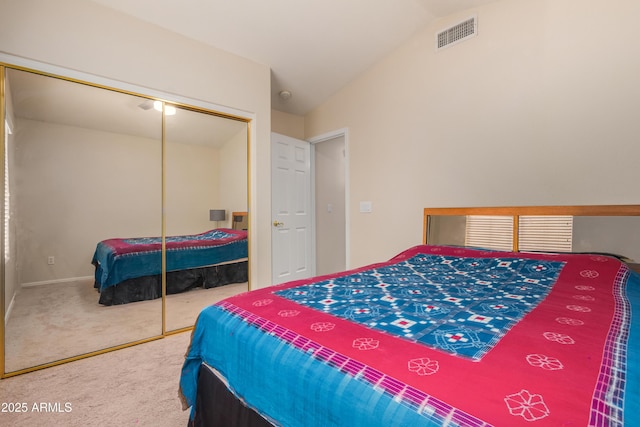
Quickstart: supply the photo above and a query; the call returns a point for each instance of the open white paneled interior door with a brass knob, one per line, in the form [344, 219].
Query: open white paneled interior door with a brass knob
[291, 213]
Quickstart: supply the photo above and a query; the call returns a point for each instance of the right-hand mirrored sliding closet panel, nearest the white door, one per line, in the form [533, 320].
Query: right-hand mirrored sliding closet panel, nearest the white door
[206, 182]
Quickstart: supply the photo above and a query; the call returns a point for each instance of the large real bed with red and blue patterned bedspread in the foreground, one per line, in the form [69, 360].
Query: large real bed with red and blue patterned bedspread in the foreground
[437, 335]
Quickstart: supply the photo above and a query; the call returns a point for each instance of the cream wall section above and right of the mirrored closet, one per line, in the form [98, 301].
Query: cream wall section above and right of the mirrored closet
[89, 38]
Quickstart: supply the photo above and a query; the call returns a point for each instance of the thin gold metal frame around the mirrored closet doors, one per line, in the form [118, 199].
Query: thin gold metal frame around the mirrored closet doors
[166, 100]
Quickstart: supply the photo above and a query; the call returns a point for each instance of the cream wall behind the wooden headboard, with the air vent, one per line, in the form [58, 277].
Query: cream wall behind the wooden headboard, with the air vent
[540, 108]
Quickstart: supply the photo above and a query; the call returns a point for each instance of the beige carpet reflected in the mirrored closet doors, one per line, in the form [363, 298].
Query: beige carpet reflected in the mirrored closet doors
[58, 321]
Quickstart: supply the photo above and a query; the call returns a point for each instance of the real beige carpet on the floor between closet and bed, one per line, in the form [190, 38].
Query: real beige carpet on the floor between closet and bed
[136, 386]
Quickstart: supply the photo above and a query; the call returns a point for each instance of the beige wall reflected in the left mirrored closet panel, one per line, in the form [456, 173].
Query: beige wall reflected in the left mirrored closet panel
[74, 187]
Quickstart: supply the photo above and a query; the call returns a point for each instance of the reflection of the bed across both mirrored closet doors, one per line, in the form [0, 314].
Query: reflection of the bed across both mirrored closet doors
[129, 269]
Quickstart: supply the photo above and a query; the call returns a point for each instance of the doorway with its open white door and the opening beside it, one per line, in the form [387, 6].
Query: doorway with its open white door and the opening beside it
[309, 206]
